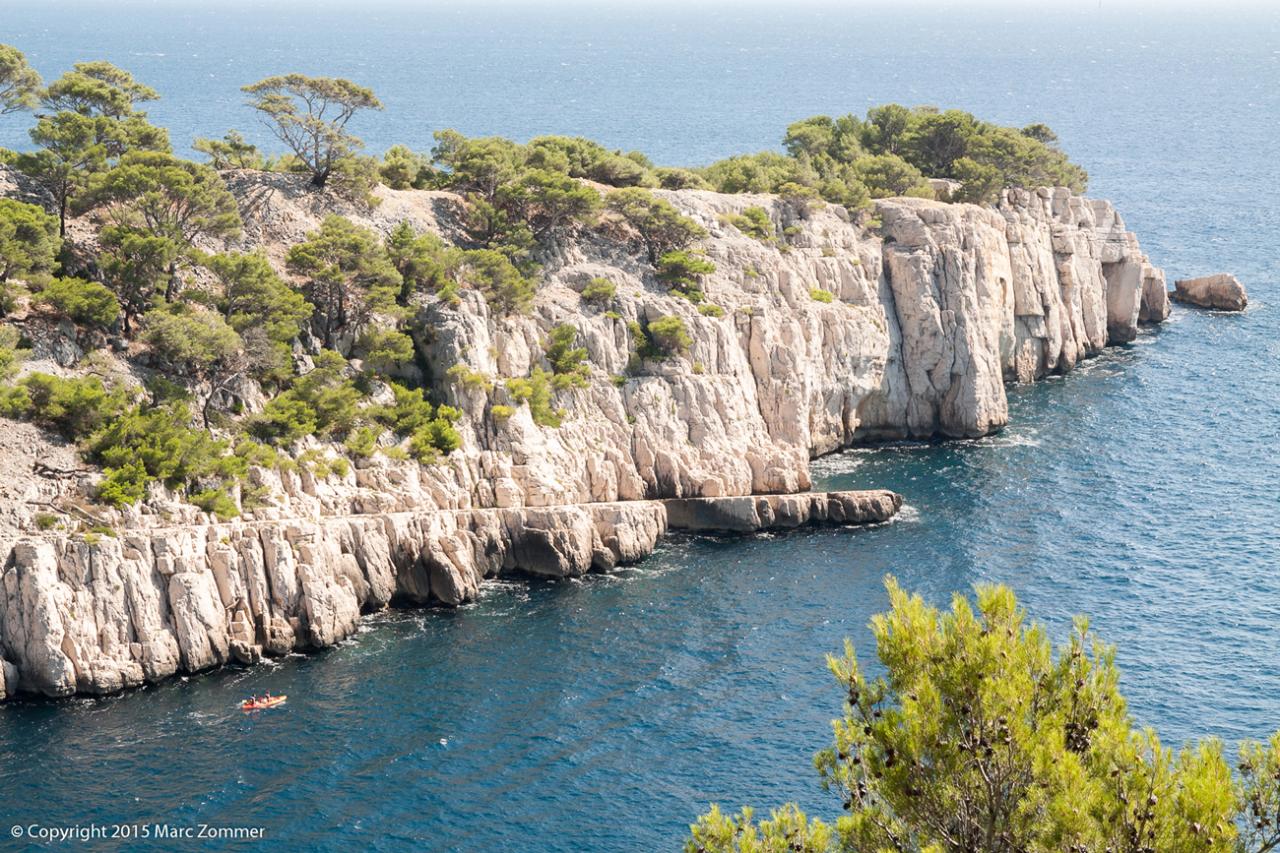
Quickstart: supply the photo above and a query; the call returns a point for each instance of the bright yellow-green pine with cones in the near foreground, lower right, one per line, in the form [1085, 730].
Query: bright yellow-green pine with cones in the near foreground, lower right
[980, 738]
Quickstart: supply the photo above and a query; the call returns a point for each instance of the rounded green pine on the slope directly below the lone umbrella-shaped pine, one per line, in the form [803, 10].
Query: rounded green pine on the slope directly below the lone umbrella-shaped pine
[349, 273]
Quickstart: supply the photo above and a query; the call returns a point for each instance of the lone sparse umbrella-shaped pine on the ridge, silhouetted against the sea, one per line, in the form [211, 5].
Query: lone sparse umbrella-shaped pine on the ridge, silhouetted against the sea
[310, 116]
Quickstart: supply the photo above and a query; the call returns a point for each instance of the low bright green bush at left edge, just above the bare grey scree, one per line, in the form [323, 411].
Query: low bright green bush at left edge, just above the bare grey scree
[74, 408]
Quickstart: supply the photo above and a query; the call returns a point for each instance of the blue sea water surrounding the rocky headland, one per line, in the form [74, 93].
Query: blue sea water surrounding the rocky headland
[605, 714]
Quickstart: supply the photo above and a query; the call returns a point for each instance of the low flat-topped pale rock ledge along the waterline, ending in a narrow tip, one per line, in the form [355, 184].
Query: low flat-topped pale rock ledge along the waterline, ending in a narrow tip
[97, 618]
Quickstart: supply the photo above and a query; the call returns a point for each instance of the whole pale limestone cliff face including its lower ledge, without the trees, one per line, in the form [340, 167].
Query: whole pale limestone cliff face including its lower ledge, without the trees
[935, 309]
